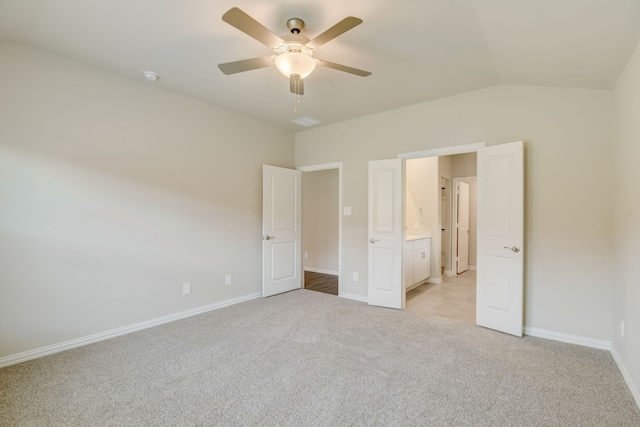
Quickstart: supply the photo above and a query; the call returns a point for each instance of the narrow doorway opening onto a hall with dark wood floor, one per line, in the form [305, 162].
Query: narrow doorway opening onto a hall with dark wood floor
[321, 227]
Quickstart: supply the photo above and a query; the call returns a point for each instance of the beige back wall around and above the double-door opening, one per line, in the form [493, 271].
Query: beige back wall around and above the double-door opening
[567, 134]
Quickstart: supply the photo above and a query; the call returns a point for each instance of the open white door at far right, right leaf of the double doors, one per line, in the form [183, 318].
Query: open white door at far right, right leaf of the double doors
[500, 238]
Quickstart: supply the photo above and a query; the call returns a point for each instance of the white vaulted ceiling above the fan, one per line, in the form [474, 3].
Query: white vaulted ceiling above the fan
[417, 50]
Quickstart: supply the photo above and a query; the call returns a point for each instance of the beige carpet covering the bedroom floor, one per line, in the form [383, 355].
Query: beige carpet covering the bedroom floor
[306, 359]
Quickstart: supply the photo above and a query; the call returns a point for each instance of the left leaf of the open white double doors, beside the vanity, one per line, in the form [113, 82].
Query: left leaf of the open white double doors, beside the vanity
[385, 234]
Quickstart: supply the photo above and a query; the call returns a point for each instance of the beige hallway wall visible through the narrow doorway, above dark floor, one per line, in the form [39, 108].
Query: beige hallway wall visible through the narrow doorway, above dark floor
[320, 220]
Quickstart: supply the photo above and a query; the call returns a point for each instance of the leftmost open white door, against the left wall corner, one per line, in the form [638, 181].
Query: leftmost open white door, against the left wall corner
[281, 230]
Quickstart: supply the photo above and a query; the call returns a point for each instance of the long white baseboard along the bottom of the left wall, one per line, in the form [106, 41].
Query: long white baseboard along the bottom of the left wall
[101, 336]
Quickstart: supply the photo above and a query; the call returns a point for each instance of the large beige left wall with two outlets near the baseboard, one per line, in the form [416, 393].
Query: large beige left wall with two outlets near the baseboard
[113, 193]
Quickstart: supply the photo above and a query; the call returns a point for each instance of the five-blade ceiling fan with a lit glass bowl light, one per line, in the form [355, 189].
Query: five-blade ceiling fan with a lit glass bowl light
[293, 52]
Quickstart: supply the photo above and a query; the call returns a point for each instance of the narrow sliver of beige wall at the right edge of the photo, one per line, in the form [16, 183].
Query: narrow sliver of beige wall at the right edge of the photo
[626, 271]
